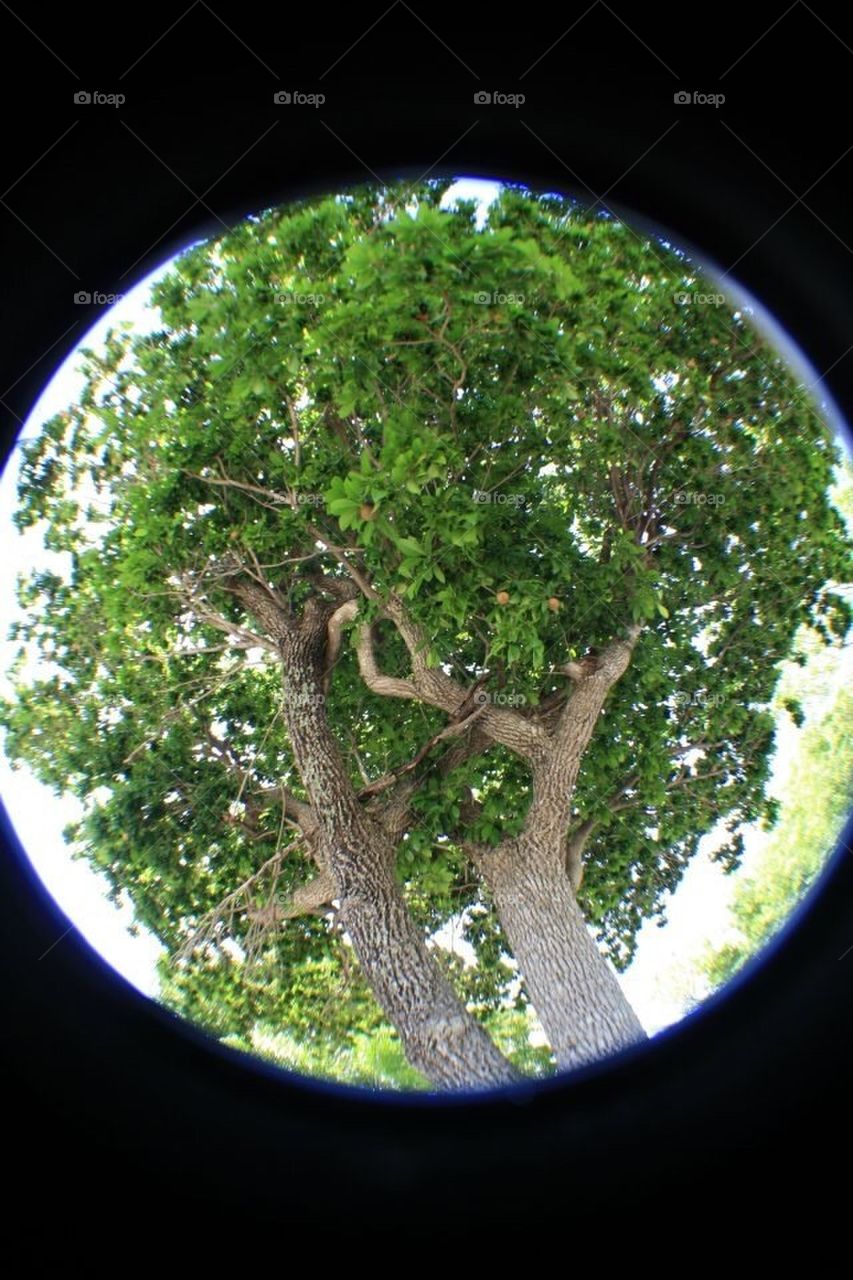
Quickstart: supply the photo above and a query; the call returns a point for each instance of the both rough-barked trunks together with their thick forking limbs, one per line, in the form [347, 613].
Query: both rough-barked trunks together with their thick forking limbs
[533, 877]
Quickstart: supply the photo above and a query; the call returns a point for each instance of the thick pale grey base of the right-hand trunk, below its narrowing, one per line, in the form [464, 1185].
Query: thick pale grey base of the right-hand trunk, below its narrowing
[574, 991]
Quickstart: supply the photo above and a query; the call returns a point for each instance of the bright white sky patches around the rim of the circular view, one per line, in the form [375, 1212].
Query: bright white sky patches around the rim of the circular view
[699, 909]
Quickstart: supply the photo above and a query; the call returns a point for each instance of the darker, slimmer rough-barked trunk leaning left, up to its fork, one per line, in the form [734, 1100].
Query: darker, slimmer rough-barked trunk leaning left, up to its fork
[440, 1036]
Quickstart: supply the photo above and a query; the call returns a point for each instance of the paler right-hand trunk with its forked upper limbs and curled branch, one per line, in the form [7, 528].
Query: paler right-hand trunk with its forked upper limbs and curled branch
[532, 880]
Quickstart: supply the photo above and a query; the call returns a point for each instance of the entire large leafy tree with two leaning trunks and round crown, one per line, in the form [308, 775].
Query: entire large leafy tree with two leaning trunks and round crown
[421, 570]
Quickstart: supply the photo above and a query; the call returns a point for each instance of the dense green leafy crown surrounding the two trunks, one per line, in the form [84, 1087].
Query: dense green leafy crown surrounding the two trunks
[530, 408]
